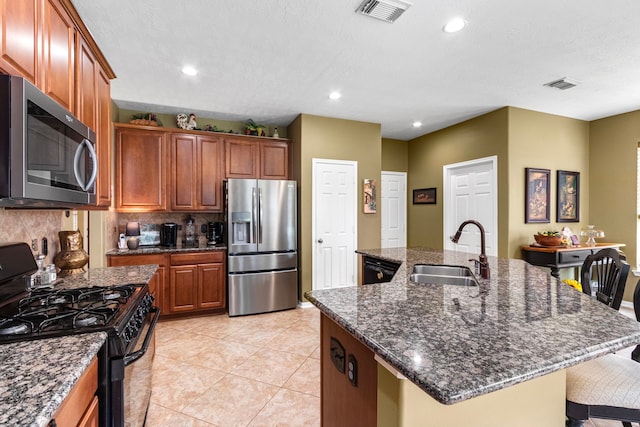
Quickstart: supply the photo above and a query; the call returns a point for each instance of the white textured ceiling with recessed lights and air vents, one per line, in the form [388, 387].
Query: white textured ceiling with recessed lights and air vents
[272, 59]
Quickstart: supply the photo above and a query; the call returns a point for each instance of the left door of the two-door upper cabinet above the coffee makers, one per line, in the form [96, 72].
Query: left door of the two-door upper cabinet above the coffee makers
[183, 172]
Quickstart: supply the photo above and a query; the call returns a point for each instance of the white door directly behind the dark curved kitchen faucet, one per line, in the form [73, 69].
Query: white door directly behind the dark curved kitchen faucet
[471, 192]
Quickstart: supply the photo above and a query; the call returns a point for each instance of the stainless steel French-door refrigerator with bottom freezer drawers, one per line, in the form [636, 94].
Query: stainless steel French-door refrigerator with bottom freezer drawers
[262, 263]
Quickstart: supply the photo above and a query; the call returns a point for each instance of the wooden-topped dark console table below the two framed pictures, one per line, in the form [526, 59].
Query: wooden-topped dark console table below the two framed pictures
[557, 257]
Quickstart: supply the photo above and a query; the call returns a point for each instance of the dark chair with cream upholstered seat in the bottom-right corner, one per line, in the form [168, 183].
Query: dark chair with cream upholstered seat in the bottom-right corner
[607, 387]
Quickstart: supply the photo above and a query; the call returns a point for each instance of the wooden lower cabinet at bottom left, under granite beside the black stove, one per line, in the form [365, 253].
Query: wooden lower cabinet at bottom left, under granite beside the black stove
[80, 407]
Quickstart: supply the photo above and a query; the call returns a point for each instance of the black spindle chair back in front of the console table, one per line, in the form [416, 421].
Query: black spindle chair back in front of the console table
[607, 273]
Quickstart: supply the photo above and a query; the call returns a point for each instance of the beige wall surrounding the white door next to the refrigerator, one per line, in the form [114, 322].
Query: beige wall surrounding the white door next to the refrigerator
[327, 138]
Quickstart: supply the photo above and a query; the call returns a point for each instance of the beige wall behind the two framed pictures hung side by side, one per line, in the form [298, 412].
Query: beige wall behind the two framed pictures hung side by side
[545, 141]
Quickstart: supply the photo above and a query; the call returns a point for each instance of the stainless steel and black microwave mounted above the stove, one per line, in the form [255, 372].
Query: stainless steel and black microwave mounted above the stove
[47, 156]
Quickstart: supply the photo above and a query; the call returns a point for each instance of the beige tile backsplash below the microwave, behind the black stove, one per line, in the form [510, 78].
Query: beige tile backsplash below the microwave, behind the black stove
[24, 225]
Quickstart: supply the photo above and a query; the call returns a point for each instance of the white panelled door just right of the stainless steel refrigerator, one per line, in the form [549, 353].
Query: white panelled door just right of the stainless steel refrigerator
[334, 225]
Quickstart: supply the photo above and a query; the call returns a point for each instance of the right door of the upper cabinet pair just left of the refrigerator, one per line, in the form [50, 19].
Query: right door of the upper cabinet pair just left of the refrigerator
[209, 182]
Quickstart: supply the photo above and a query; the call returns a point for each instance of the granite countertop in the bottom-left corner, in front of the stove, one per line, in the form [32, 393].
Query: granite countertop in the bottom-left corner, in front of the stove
[38, 375]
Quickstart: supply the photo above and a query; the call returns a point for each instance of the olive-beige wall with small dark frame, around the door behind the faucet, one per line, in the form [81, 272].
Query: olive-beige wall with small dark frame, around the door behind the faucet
[476, 138]
